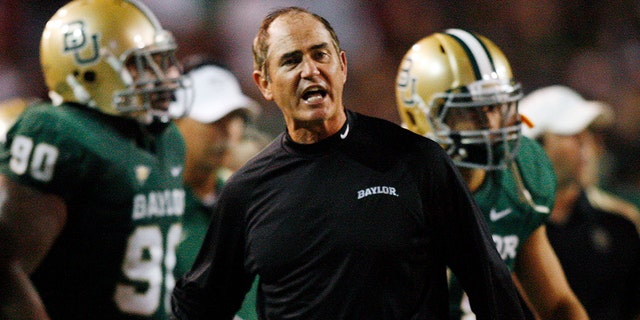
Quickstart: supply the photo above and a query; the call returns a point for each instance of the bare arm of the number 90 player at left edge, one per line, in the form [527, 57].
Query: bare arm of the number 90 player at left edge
[30, 221]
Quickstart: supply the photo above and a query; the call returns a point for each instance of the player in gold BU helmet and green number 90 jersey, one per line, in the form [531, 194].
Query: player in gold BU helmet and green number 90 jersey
[92, 197]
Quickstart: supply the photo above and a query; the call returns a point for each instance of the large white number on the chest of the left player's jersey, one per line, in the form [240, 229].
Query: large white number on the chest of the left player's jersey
[144, 263]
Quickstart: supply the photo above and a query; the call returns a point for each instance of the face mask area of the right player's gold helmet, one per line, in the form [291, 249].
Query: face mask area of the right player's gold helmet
[476, 144]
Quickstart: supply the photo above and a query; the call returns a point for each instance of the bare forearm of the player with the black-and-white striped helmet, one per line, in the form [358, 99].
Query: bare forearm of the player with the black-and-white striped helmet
[542, 278]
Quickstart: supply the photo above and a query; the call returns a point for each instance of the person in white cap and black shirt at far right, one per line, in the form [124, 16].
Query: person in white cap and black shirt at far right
[599, 249]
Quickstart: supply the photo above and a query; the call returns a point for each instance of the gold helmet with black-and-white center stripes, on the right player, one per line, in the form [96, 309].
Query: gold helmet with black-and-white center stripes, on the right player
[448, 86]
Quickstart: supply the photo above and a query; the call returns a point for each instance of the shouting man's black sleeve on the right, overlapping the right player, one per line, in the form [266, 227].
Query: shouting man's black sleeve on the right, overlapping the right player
[469, 248]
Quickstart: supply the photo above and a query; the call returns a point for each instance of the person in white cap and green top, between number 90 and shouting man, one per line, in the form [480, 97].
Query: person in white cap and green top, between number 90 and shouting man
[214, 127]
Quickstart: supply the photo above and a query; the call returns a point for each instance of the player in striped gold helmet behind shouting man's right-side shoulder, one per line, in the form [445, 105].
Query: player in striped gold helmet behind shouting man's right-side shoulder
[457, 88]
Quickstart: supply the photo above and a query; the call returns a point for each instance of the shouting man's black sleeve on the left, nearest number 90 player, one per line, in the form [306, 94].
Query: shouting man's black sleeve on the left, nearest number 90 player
[215, 286]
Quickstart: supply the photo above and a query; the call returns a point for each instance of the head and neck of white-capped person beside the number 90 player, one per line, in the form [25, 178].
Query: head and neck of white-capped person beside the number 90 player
[215, 123]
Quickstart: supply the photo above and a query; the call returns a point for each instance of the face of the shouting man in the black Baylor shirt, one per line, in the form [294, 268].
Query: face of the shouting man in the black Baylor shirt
[306, 73]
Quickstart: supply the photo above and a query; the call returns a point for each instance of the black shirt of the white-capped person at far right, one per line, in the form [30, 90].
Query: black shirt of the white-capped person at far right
[600, 253]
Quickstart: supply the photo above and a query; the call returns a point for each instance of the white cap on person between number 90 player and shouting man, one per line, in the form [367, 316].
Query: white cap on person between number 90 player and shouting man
[216, 93]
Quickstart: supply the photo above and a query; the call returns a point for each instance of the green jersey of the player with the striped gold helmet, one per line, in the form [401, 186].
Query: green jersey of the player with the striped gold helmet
[511, 221]
